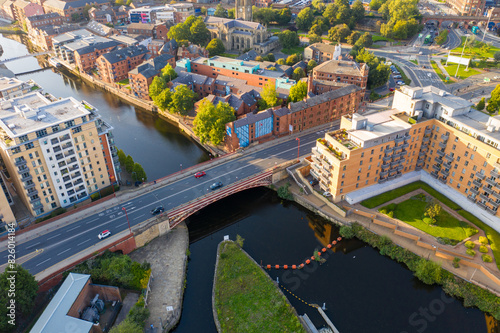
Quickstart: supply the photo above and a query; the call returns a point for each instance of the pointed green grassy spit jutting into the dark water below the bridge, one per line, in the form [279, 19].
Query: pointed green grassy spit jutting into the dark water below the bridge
[246, 300]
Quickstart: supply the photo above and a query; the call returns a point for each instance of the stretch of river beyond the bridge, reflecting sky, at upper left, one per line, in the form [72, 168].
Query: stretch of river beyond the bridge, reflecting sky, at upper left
[158, 145]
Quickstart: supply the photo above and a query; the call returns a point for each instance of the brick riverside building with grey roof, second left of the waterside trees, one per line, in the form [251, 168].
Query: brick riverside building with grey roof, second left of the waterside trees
[115, 65]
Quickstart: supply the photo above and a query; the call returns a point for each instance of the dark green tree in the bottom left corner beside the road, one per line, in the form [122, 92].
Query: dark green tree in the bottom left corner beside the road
[26, 289]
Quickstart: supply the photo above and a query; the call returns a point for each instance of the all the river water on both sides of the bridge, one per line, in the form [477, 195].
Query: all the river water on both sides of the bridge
[362, 290]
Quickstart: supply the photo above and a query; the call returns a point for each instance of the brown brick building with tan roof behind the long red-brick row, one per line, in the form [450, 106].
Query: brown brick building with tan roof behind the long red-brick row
[342, 71]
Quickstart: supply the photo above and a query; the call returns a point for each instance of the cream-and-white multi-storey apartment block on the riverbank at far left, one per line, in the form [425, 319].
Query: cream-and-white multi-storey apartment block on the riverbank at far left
[55, 150]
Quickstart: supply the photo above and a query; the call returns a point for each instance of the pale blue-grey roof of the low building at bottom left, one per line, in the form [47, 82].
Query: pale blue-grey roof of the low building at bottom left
[54, 318]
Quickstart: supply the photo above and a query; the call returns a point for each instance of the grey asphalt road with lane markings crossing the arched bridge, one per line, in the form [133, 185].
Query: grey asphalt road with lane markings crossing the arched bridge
[71, 239]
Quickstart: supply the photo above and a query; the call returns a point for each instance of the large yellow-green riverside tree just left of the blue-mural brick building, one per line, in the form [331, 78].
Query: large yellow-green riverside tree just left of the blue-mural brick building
[209, 123]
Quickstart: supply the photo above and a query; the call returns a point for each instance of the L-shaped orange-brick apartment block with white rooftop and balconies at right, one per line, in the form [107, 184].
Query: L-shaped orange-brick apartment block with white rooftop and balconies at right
[429, 130]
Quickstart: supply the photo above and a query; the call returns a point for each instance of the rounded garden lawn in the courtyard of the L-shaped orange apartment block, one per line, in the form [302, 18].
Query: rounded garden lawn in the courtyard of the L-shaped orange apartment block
[412, 211]
